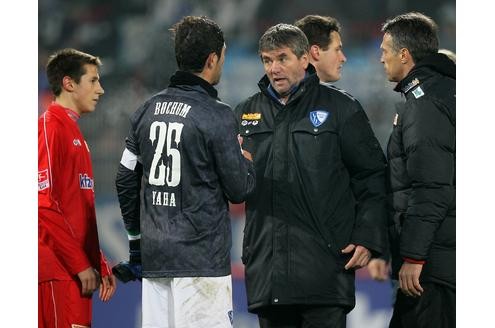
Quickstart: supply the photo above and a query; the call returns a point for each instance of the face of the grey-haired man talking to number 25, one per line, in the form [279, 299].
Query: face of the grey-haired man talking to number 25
[284, 69]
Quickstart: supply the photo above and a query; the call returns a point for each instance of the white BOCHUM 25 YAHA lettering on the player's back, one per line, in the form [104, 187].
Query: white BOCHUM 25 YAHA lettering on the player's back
[162, 173]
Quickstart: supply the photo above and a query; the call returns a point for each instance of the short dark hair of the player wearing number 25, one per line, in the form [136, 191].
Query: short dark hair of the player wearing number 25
[195, 39]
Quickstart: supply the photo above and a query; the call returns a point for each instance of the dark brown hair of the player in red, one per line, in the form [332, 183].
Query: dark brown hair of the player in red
[67, 62]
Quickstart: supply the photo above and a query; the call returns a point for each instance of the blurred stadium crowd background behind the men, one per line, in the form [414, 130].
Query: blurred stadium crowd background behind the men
[132, 39]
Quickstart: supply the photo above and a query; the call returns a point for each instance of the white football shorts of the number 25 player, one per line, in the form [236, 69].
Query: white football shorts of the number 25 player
[197, 302]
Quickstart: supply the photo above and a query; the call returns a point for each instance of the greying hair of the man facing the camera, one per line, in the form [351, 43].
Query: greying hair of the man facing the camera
[284, 35]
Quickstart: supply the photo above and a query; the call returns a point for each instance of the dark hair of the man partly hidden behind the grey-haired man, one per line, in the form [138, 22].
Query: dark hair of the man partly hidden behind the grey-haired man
[318, 28]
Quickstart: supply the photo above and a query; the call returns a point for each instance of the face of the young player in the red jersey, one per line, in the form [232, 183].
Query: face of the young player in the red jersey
[87, 92]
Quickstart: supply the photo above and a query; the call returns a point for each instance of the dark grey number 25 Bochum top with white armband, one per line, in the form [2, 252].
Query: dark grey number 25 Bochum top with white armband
[186, 141]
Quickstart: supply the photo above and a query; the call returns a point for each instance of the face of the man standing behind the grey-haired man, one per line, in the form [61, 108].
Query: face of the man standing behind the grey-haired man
[330, 63]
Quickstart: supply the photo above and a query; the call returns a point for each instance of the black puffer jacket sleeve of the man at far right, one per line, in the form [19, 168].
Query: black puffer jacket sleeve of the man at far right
[428, 137]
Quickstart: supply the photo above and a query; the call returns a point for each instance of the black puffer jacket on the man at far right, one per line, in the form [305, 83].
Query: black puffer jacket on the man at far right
[421, 155]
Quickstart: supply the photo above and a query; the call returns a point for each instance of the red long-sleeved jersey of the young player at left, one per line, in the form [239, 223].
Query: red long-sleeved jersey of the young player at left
[67, 232]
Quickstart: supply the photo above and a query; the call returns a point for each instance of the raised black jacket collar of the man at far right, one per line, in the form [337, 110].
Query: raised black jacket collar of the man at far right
[427, 67]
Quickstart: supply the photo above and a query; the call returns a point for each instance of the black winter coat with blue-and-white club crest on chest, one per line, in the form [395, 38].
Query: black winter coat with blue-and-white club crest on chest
[320, 186]
